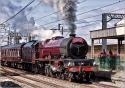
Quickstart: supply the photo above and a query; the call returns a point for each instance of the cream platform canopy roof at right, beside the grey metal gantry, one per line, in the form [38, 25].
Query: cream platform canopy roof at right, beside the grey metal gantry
[109, 33]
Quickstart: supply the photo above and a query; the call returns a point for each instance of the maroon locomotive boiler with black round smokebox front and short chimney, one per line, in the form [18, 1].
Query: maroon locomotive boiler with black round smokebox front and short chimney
[60, 47]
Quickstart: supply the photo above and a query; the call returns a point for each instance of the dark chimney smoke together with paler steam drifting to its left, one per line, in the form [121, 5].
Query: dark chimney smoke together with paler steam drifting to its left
[68, 11]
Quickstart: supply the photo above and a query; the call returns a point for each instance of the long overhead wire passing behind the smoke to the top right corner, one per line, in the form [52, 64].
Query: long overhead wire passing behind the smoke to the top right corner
[86, 12]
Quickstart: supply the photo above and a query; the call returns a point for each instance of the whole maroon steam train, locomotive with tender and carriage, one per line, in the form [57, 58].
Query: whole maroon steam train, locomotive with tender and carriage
[60, 57]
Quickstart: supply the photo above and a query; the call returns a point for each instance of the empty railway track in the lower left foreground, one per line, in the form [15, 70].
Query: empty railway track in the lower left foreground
[28, 80]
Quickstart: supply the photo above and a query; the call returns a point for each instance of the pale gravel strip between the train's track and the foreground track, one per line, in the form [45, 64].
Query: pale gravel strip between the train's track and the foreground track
[66, 84]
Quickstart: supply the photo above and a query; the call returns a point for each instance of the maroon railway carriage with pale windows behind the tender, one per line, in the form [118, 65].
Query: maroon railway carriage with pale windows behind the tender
[11, 55]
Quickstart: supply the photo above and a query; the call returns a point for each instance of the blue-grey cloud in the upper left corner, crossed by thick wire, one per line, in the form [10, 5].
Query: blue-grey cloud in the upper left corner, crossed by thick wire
[21, 23]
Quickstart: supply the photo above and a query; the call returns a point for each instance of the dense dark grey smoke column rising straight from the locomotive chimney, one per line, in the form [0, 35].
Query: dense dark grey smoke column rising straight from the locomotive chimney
[68, 9]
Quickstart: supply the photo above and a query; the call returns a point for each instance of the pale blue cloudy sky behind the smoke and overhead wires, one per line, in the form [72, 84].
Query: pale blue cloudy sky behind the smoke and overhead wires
[32, 17]
